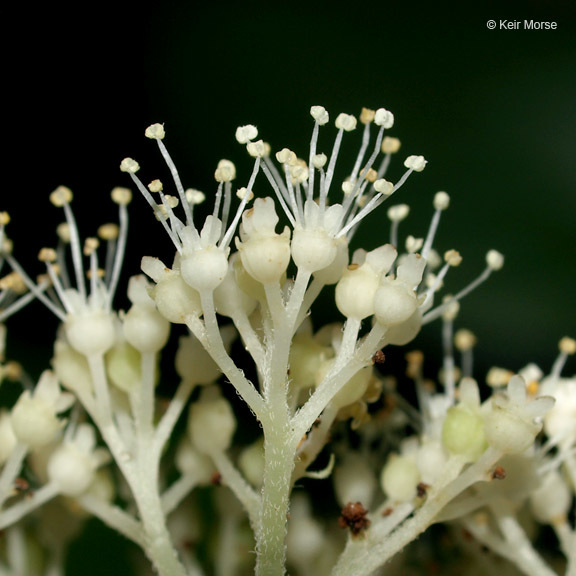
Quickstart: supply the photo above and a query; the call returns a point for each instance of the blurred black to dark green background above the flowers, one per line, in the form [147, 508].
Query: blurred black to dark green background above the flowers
[494, 112]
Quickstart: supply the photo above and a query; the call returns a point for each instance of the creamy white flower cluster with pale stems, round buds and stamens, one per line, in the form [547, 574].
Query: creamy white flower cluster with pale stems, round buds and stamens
[95, 430]
